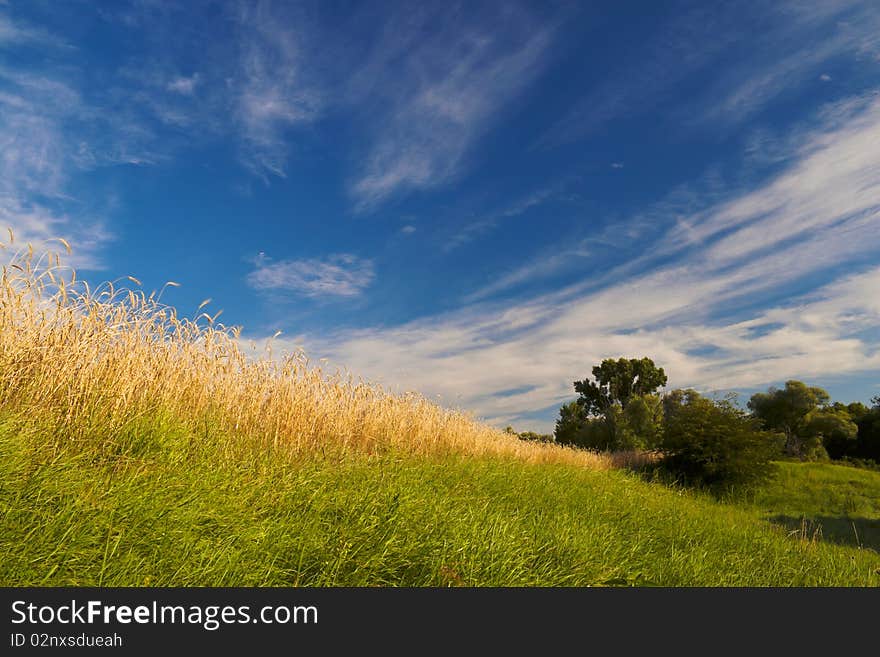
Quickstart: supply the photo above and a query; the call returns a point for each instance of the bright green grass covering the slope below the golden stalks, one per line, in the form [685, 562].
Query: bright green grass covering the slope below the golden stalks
[159, 507]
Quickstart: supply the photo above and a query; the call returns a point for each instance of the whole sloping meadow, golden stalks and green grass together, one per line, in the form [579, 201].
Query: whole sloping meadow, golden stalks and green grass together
[140, 448]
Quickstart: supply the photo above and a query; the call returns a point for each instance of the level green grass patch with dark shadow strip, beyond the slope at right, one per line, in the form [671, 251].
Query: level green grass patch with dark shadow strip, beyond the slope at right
[837, 503]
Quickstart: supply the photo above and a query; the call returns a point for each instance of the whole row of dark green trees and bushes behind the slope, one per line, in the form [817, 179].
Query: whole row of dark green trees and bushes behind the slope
[712, 441]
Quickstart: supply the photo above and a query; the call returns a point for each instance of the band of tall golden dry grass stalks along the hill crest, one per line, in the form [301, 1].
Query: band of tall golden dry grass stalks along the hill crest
[96, 362]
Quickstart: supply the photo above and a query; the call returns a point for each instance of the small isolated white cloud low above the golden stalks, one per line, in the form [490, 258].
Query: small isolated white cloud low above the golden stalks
[339, 275]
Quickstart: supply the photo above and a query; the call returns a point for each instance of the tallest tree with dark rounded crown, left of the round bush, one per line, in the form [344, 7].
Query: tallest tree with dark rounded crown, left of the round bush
[623, 395]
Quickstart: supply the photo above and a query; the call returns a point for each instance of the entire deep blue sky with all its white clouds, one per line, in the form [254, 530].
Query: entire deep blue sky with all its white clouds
[477, 201]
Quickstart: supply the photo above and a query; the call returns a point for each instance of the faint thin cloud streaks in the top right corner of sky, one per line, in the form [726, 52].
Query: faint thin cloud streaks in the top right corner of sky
[789, 46]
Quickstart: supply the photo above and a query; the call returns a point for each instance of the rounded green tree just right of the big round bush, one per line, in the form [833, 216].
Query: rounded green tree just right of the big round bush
[786, 410]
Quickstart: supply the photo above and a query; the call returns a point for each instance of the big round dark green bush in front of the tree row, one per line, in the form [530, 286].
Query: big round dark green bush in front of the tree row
[715, 444]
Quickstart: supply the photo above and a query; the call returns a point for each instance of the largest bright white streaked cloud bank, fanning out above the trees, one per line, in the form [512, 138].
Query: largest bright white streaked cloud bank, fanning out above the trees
[692, 306]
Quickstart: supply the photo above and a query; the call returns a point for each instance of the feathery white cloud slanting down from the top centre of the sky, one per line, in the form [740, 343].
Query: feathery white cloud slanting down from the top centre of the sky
[437, 90]
